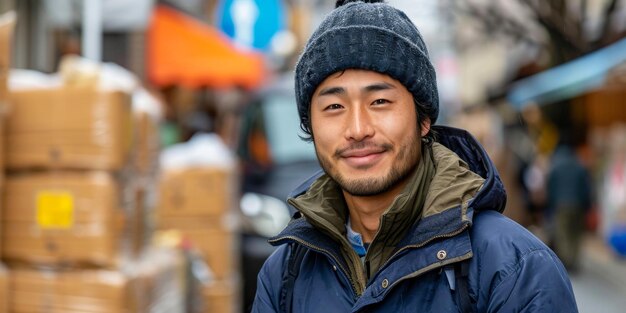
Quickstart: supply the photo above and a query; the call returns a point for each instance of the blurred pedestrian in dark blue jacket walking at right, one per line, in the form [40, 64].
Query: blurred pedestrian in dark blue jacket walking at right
[569, 199]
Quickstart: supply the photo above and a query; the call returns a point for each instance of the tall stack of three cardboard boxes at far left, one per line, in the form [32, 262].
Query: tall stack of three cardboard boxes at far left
[74, 217]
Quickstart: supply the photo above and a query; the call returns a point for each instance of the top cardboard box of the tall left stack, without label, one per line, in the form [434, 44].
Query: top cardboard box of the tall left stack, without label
[69, 128]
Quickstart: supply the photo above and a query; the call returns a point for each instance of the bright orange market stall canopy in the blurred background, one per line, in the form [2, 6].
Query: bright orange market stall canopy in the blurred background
[184, 51]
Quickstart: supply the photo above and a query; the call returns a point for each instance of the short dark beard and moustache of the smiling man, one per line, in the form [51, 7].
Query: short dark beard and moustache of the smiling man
[402, 166]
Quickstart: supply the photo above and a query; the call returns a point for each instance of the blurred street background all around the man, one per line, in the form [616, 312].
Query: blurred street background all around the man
[148, 146]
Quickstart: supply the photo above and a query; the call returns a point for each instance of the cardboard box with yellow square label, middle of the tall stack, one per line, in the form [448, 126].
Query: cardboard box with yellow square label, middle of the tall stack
[56, 218]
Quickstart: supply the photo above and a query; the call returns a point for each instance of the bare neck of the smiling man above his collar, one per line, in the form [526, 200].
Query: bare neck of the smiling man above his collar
[365, 211]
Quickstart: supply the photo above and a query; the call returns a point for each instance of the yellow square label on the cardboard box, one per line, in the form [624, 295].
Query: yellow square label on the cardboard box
[55, 209]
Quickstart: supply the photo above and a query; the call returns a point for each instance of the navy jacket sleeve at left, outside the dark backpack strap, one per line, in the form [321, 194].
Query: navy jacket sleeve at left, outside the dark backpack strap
[269, 283]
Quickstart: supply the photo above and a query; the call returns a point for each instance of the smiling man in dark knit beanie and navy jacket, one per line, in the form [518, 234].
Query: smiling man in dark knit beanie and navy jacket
[406, 216]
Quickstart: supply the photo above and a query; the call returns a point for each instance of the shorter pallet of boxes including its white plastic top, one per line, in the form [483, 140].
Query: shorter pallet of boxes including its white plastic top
[197, 192]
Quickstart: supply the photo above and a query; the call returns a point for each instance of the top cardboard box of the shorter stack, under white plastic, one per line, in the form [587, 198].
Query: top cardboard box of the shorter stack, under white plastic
[196, 192]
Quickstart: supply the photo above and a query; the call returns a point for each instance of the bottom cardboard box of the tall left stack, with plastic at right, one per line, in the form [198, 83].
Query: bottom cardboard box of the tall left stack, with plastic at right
[152, 284]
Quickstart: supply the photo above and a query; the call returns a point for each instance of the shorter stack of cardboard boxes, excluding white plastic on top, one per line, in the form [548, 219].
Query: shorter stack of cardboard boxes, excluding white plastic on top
[198, 202]
